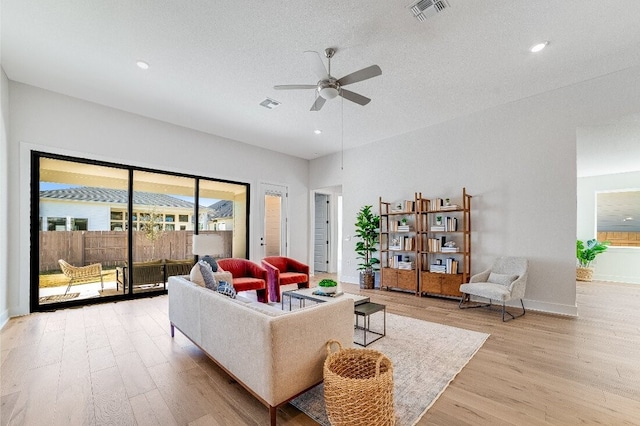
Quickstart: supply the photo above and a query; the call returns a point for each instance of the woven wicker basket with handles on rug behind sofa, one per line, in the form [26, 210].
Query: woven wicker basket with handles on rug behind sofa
[358, 387]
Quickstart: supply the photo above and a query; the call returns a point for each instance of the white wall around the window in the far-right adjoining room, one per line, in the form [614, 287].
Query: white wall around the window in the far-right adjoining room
[619, 264]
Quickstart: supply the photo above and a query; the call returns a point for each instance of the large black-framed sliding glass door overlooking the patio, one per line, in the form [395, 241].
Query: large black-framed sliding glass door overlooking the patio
[113, 231]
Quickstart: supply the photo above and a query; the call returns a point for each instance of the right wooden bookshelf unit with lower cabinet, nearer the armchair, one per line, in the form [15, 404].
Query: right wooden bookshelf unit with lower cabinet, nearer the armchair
[444, 244]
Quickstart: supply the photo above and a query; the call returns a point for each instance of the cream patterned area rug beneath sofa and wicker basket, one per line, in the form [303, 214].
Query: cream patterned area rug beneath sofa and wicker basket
[426, 357]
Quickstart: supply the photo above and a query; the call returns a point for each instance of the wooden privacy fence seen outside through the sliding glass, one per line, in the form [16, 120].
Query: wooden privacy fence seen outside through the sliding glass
[109, 248]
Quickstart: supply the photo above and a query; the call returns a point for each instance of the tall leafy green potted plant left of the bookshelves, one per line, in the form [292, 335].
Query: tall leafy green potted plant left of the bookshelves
[367, 231]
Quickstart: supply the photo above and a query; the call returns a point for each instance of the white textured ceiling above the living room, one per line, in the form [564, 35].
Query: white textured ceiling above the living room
[213, 62]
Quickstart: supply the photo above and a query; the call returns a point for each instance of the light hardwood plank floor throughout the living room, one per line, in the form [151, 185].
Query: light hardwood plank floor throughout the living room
[116, 364]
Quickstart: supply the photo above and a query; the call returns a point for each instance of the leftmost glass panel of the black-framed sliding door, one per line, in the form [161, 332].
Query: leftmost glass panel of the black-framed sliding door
[81, 244]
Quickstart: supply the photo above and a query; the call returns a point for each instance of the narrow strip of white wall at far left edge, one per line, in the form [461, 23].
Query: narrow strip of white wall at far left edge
[4, 205]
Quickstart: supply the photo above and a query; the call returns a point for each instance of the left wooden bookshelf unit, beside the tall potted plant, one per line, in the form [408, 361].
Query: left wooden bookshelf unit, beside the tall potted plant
[398, 245]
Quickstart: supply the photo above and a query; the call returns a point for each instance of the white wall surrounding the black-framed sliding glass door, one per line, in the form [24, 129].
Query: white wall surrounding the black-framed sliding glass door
[50, 122]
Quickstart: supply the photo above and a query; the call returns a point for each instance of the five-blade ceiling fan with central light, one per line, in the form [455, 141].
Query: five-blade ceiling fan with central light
[329, 87]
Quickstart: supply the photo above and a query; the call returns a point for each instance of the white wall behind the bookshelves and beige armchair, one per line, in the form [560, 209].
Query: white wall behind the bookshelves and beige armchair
[519, 163]
